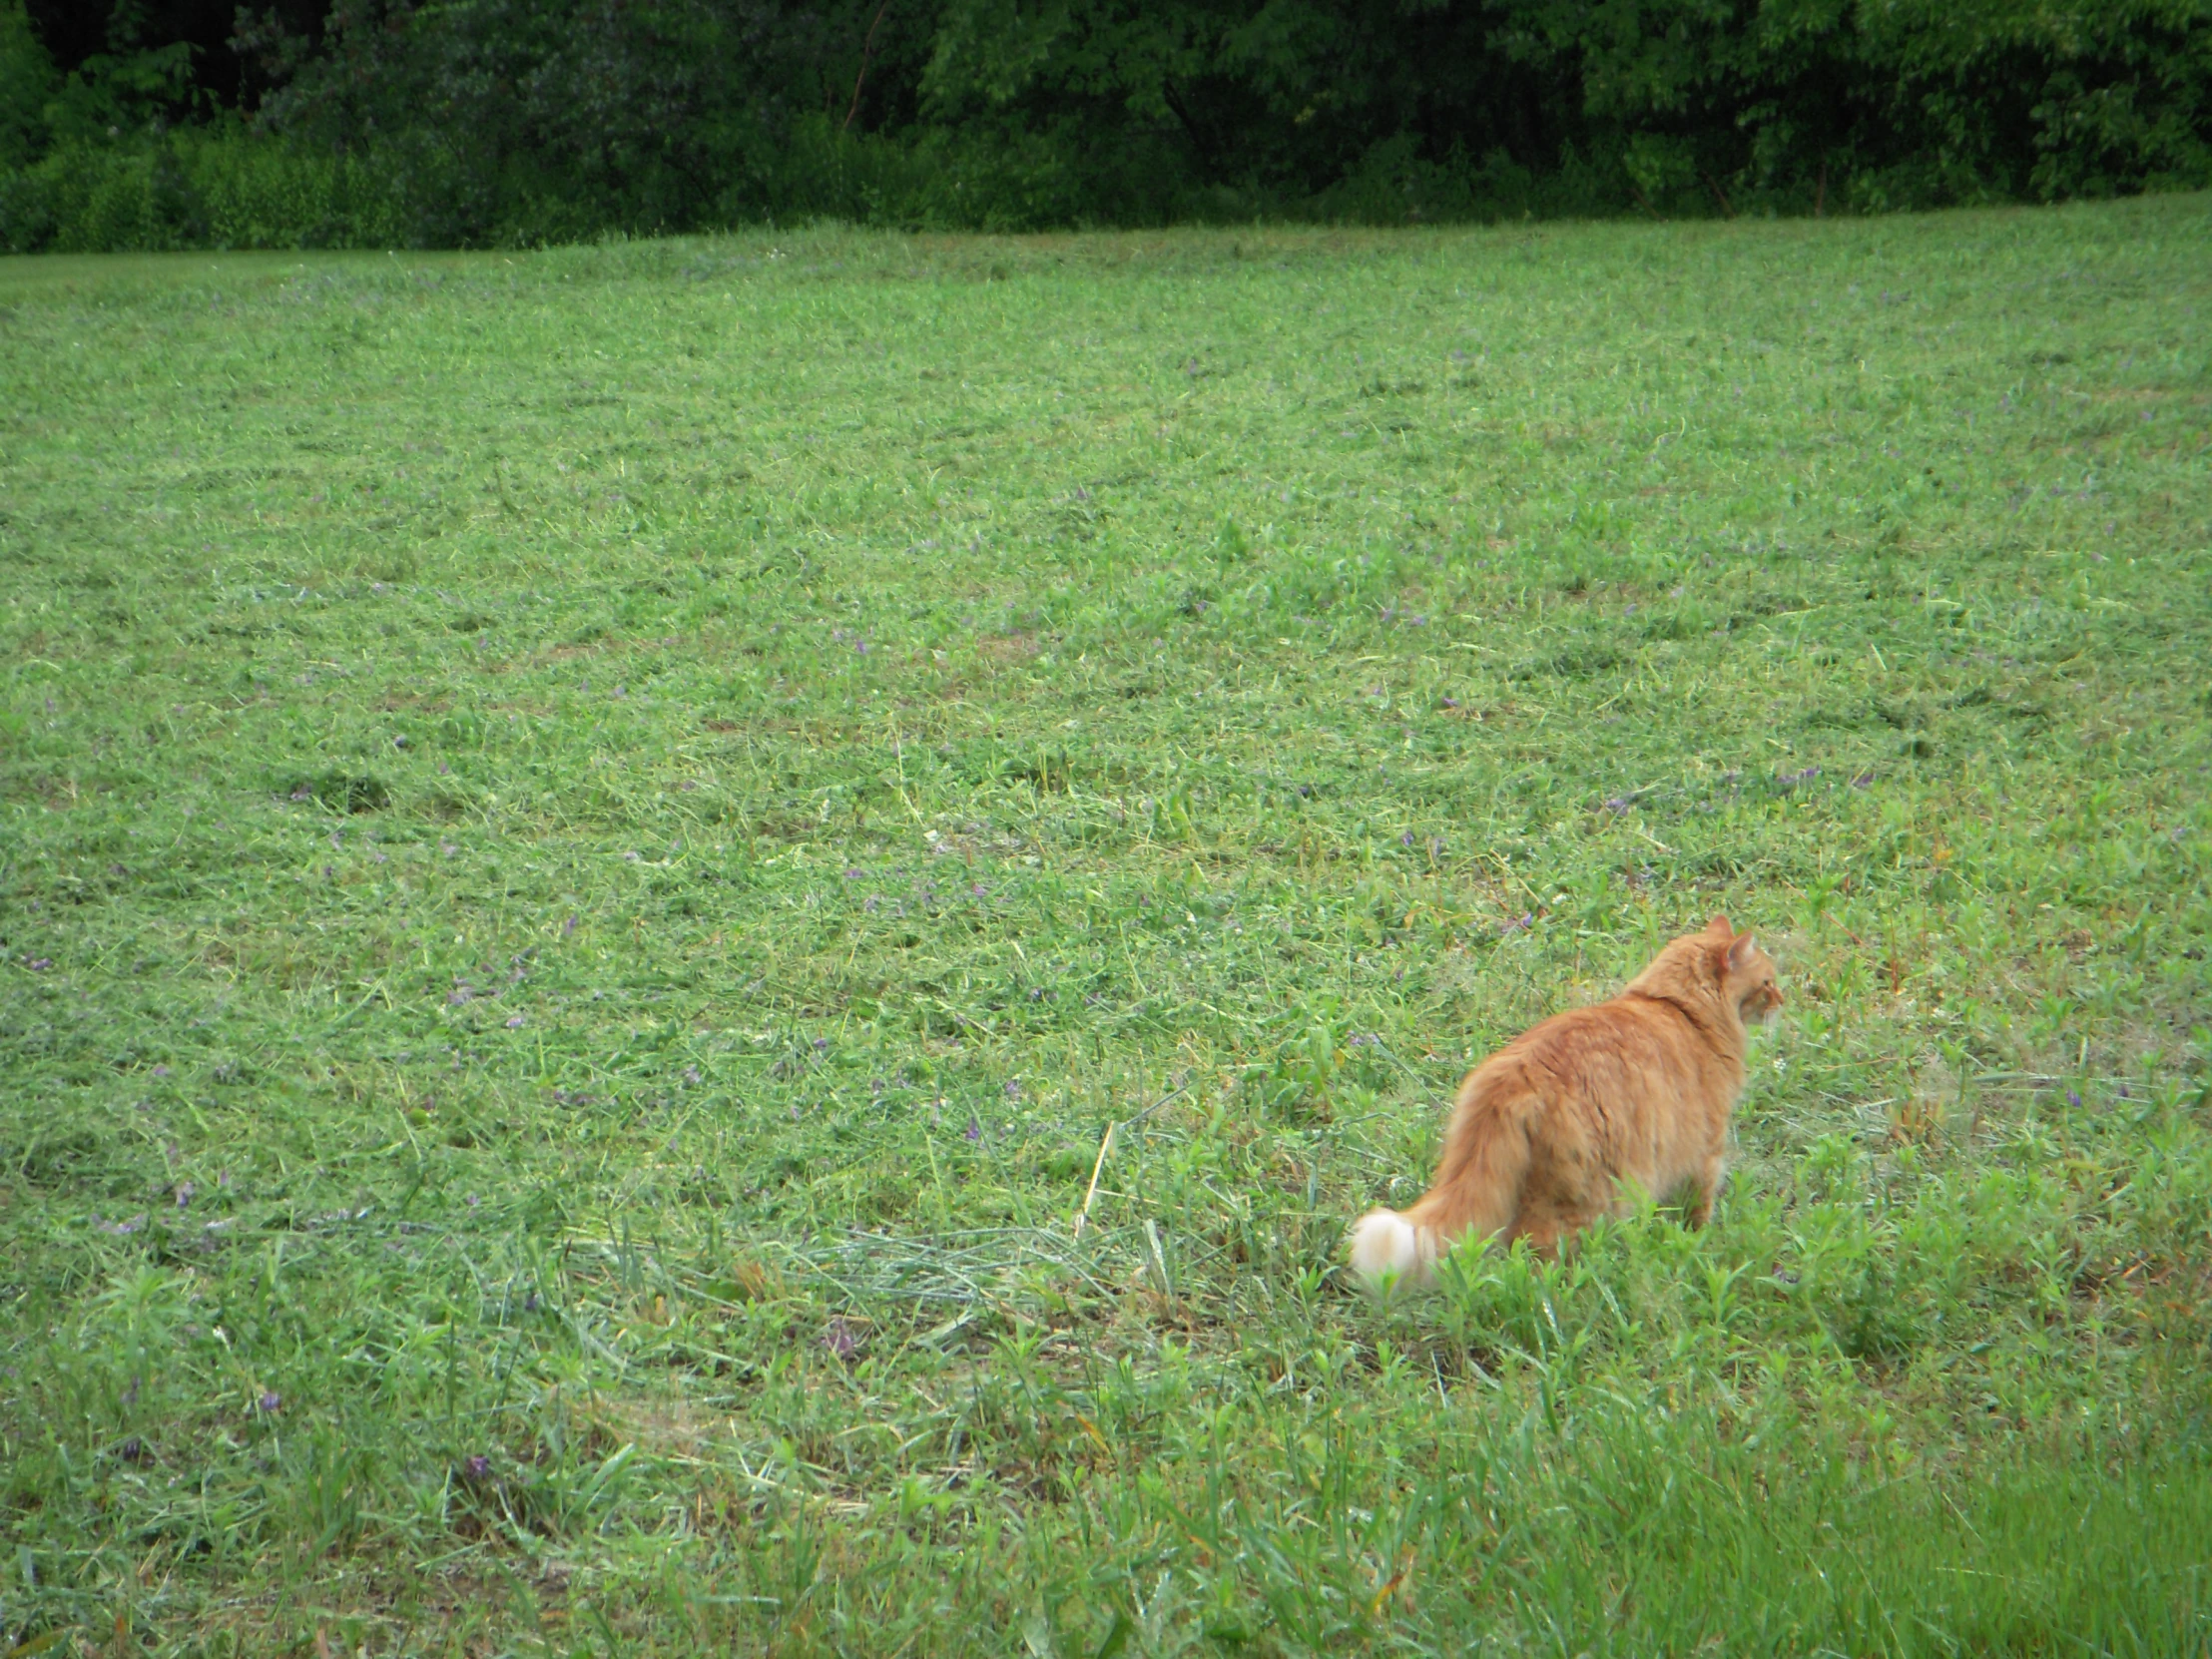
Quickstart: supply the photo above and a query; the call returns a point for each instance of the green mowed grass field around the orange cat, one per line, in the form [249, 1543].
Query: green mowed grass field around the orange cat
[596, 839]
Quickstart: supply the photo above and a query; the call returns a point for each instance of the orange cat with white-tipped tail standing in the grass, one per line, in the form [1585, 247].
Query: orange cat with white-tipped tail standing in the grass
[1569, 1118]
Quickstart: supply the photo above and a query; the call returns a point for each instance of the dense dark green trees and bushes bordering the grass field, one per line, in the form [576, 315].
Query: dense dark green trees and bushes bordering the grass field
[530, 121]
